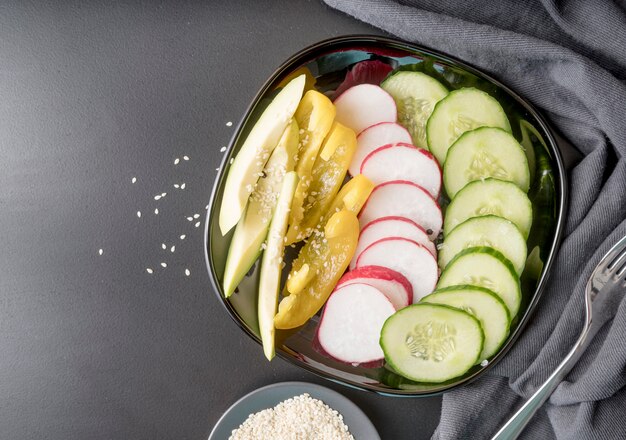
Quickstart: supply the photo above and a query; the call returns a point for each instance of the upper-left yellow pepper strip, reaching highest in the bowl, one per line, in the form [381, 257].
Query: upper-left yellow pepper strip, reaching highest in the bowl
[314, 115]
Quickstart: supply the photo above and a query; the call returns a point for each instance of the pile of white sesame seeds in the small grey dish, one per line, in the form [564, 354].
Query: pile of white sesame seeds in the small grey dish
[299, 418]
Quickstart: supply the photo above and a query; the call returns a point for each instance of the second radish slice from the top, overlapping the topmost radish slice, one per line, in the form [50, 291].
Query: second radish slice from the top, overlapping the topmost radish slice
[376, 136]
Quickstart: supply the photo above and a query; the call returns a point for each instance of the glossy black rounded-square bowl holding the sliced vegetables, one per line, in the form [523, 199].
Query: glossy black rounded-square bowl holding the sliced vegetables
[329, 61]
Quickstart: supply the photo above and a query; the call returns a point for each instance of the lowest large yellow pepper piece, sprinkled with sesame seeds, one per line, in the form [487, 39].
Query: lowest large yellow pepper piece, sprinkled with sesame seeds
[327, 254]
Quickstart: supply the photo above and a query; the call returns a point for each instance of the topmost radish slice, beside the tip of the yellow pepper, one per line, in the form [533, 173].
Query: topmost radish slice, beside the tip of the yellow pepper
[364, 105]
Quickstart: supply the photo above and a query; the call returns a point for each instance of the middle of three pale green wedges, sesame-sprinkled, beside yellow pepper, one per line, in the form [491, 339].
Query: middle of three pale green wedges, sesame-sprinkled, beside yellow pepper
[250, 232]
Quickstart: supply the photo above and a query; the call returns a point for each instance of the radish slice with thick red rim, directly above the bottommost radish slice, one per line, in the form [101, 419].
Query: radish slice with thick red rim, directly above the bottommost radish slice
[392, 284]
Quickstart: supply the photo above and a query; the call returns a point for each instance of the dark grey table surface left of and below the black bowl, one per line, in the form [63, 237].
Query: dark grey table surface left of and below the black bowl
[93, 94]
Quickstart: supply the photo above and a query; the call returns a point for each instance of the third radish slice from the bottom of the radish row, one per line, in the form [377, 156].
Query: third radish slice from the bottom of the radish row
[409, 258]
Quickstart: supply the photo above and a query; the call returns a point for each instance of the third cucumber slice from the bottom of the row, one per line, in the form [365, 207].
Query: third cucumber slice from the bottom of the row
[485, 267]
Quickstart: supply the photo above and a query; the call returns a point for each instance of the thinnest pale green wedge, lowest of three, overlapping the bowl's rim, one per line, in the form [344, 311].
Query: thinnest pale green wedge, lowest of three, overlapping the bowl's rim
[272, 264]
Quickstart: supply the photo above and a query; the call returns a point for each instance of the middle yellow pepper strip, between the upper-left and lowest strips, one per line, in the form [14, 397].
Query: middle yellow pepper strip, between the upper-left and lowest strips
[327, 175]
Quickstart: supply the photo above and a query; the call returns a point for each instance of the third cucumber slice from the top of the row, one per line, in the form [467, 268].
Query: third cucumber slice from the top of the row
[482, 153]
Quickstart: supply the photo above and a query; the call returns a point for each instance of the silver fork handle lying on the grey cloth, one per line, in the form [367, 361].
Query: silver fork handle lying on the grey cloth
[516, 424]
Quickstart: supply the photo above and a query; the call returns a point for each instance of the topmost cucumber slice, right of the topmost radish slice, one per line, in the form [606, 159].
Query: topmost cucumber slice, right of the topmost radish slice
[415, 94]
